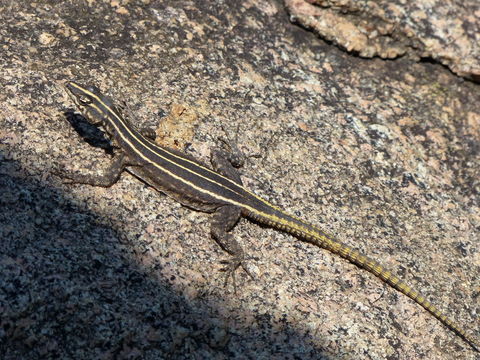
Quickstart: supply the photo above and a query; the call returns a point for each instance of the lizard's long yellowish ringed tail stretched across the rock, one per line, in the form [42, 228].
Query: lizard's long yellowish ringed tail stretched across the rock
[277, 219]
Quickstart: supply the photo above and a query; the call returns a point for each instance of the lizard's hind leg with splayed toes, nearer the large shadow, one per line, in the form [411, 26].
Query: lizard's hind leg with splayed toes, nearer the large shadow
[223, 221]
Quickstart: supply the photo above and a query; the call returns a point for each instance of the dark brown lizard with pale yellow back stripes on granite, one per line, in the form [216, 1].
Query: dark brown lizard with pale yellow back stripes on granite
[219, 191]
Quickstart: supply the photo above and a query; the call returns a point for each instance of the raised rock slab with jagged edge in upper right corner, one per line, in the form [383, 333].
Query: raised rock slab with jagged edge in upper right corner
[445, 31]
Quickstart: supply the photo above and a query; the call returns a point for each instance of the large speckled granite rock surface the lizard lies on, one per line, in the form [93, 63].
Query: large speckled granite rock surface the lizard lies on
[383, 154]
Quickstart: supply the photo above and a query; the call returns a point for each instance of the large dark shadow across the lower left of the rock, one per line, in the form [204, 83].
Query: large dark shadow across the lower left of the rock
[69, 290]
